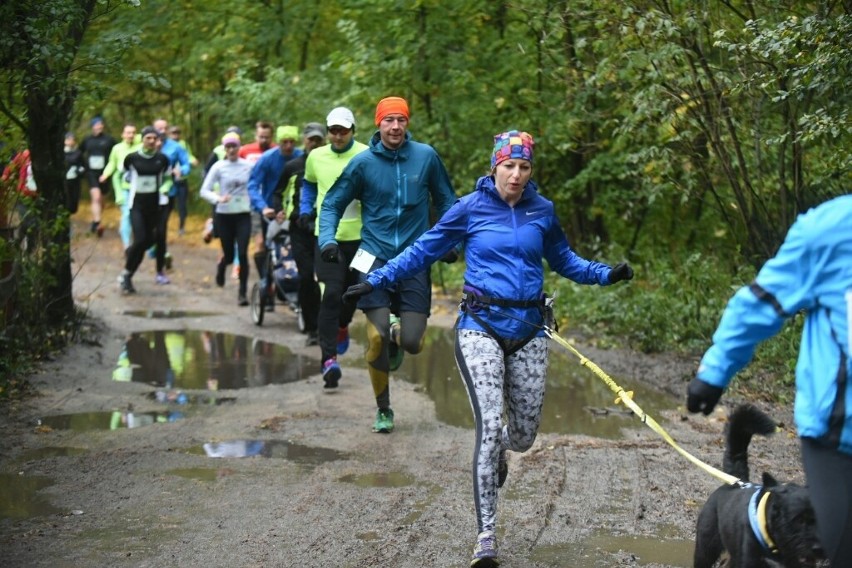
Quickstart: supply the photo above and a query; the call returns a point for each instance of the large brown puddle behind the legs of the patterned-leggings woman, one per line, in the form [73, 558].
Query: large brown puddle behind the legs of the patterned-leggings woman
[576, 401]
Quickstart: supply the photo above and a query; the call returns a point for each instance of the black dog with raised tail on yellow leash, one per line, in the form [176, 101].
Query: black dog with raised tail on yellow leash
[759, 526]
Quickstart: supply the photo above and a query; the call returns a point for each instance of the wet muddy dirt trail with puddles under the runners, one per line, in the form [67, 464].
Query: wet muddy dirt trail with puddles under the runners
[128, 455]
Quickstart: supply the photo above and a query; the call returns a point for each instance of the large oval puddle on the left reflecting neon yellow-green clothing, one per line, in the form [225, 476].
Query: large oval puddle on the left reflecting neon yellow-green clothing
[193, 359]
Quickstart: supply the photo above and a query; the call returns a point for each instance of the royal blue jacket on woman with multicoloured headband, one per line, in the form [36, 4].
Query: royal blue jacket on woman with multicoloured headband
[503, 247]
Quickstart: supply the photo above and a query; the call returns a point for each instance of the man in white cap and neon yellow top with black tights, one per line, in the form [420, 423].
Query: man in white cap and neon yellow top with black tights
[322, 169]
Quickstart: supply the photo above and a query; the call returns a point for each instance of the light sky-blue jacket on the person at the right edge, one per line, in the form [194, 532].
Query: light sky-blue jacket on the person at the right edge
[812, 272]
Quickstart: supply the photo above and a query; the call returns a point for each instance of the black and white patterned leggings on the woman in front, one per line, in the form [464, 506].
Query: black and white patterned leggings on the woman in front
[495, 381]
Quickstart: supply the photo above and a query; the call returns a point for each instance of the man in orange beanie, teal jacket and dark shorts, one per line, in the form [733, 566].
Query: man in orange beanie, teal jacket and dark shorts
[396, 179]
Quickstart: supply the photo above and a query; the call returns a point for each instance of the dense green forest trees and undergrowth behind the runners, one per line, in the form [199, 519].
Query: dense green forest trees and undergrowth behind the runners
[683, 137]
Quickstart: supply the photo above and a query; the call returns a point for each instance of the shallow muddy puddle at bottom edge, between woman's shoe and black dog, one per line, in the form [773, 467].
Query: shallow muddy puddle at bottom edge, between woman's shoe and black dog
[597, 550]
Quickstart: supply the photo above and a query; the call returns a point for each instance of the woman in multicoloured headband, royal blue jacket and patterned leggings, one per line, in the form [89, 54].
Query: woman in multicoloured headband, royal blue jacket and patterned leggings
[506, 228]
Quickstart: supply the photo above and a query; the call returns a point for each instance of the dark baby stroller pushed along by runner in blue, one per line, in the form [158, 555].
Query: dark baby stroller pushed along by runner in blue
[282, 277]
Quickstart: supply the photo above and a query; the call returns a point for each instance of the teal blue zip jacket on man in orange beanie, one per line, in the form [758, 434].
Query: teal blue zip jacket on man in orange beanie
[394, 187]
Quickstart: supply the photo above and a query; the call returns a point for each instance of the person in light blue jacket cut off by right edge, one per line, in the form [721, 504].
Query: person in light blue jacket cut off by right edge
[811, 273]
